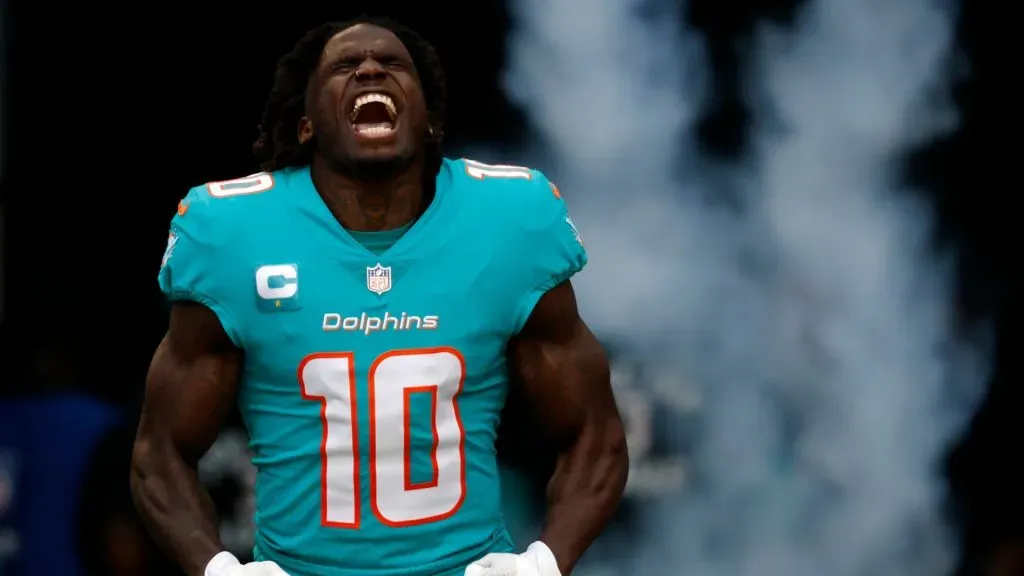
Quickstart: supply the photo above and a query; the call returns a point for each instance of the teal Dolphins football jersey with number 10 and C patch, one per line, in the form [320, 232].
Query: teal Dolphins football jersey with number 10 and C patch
[373, 385]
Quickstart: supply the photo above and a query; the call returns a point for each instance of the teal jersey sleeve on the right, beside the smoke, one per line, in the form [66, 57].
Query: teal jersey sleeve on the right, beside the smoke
[553, 250]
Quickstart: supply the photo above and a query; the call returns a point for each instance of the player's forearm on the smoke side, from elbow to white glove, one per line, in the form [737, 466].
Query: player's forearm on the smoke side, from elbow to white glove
[585, 491]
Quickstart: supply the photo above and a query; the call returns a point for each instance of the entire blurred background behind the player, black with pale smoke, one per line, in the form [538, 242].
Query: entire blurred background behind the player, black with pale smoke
[800, 220]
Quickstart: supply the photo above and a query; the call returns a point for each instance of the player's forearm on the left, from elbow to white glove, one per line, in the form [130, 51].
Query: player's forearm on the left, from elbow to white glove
[177, 509]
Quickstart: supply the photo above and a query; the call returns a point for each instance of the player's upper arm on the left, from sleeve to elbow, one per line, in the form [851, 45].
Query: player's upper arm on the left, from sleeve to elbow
[192, 383]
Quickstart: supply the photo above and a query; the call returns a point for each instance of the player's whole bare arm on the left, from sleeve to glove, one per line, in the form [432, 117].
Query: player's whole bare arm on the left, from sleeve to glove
[191, 387]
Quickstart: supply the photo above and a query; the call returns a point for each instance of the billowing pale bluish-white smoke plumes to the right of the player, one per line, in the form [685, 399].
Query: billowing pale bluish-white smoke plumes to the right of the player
[810, 310]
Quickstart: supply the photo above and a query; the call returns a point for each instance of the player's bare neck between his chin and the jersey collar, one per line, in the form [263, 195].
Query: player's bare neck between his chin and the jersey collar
[370, 207]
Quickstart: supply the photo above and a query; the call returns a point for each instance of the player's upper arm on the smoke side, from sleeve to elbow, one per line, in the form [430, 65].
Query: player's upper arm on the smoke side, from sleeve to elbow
[563, 367]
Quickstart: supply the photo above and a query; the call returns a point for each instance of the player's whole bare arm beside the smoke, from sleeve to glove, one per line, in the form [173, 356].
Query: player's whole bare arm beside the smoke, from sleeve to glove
[566, 379]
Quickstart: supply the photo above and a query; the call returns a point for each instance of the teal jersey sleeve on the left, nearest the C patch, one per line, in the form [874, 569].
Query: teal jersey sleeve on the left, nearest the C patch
[197, 259]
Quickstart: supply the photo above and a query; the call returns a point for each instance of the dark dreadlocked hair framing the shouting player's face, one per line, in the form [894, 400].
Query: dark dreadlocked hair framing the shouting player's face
[278, 145]
